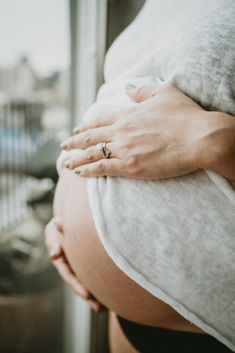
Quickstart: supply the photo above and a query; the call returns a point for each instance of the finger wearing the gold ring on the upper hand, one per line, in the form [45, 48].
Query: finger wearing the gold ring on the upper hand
[89, 155]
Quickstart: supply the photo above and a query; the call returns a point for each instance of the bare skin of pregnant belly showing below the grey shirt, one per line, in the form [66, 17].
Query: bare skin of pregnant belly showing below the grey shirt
[97, 271]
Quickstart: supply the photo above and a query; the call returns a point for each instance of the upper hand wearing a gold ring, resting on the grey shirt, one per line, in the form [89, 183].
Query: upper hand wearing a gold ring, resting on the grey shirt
[158, 137]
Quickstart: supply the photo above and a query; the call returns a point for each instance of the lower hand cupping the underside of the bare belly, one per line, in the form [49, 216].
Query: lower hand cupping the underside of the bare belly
[54, 239]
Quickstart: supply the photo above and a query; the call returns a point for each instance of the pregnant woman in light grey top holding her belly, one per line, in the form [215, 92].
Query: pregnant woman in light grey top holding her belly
[151, 234]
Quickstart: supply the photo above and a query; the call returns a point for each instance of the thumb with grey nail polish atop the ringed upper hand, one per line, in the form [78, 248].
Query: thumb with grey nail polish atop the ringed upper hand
[141, 93]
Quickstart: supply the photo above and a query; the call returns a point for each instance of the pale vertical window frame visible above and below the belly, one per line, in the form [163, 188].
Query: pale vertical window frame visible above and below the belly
[85, 332]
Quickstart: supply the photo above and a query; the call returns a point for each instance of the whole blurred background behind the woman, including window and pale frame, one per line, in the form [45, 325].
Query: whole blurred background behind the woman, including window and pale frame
[51, 59]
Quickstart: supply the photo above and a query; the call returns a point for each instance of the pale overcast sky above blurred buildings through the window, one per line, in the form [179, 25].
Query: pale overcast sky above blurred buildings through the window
[36, 28]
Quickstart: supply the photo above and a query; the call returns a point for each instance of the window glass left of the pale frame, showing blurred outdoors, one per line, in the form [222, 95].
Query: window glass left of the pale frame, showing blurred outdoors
[34, 118]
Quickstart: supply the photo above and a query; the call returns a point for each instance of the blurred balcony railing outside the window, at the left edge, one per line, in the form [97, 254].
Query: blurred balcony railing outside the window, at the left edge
[20, 135]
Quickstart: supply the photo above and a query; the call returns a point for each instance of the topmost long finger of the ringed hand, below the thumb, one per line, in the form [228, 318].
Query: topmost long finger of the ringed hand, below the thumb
[107, 119]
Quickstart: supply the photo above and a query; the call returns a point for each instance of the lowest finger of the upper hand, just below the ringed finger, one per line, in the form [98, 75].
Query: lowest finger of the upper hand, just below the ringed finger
[104, 167]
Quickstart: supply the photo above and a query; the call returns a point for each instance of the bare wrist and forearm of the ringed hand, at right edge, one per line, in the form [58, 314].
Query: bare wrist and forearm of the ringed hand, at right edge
[216, 150]
